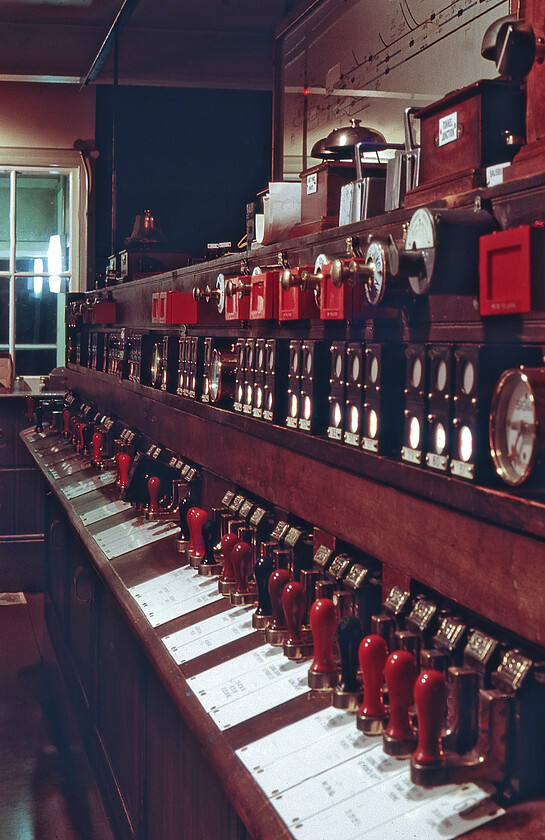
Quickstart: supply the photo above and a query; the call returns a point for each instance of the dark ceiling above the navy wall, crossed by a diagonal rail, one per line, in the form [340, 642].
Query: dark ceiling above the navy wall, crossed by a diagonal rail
[227, 43]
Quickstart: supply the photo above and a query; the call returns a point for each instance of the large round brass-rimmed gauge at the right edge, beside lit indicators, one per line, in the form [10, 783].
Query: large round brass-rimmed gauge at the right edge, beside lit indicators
[513, 427]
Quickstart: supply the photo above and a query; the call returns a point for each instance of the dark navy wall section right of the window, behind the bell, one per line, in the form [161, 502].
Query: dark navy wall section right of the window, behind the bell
[193, 157]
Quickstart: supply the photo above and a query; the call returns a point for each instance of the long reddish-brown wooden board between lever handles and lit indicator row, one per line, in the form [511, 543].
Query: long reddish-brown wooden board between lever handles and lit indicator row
[437, 545]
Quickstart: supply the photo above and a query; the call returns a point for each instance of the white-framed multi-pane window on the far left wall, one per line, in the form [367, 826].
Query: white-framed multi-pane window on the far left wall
[41, 251]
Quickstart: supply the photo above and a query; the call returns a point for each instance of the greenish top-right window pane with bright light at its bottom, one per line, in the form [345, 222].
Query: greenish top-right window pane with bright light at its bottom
[42, 222]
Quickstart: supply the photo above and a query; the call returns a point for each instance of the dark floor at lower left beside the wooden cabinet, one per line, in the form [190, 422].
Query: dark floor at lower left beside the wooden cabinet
[46, 788]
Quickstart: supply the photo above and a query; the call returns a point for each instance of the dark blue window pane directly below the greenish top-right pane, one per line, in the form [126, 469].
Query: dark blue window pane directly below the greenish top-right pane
[35, 312]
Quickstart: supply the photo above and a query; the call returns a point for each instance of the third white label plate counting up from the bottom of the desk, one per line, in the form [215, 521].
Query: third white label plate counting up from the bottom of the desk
[210, 634]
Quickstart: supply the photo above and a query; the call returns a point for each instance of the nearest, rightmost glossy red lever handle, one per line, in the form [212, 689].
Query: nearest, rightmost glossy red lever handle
[430, 699]
